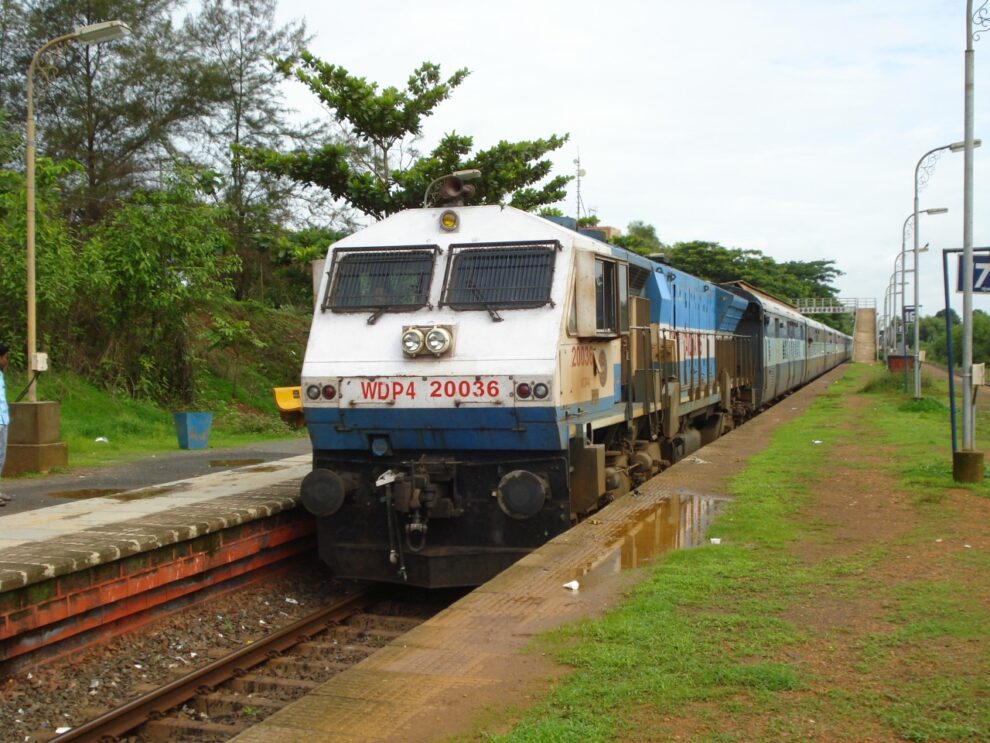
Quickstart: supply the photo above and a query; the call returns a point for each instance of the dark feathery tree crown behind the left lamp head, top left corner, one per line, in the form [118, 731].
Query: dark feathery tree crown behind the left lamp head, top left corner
[120, 109]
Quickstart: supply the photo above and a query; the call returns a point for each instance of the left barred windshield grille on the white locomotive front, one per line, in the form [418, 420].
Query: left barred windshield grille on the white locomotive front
[380, 278]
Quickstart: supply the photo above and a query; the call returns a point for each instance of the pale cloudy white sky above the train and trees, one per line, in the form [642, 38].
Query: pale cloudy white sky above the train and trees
[792, 128]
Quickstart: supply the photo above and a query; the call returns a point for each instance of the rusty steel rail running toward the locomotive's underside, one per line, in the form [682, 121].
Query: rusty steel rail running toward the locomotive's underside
[147, 707]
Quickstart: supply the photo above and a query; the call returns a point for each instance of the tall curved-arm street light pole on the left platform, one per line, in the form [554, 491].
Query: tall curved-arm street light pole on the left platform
[93, 34]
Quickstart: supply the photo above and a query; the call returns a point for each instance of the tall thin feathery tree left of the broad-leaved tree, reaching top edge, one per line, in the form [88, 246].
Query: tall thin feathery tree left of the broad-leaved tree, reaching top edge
[239, 38]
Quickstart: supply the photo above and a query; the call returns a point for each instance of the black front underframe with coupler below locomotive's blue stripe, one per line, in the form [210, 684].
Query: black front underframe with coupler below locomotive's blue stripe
[440, 524]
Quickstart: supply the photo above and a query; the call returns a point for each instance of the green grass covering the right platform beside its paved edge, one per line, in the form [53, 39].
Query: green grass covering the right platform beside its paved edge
[703, 647]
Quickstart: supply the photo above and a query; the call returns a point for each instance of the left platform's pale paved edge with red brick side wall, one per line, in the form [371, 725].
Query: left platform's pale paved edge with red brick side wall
[73, 573]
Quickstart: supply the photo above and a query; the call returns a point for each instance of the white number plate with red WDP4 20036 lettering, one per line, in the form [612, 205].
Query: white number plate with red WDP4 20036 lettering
[425, 392]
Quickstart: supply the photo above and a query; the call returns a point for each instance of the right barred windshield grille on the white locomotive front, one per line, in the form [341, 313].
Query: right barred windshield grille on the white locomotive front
[499, 275]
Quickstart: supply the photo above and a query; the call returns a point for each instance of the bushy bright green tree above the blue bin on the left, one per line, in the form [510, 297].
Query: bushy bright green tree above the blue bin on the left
[148, 268]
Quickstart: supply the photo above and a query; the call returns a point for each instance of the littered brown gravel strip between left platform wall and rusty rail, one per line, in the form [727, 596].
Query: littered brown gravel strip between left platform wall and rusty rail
[35, 705]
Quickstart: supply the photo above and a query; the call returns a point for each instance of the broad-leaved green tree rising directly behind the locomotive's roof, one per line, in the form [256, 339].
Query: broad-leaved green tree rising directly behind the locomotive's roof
[373, 165]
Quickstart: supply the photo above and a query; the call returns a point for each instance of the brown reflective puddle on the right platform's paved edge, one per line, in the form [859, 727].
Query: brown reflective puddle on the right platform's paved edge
[677, 522]
